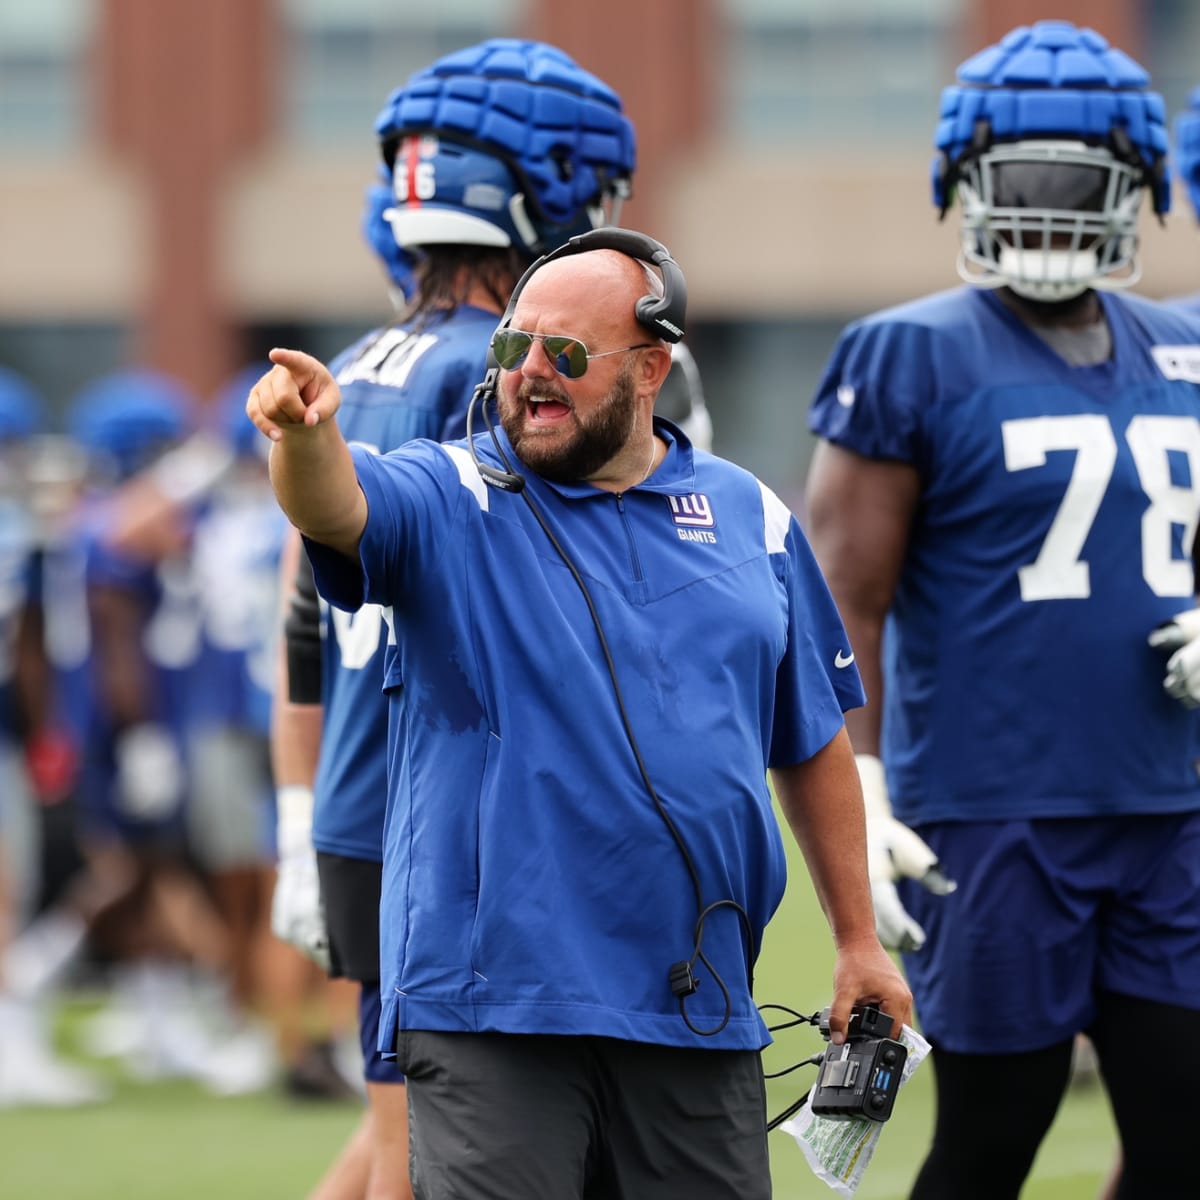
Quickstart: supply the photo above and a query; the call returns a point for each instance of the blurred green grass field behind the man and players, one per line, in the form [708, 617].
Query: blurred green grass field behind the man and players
[170, 1142]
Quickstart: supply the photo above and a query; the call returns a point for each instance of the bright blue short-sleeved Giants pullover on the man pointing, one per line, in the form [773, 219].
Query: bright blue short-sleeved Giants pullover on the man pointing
[530, 883]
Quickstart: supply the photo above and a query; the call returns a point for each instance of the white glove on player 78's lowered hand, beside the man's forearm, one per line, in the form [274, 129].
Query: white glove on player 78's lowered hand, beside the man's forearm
[893, 853]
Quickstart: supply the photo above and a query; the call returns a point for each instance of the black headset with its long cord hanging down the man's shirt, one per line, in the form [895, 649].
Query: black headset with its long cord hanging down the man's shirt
[663, 316]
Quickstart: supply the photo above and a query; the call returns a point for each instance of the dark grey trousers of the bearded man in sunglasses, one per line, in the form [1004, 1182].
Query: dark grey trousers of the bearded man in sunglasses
[549, 1118]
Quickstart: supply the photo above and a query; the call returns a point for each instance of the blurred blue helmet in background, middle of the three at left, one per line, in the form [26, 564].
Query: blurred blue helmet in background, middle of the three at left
[127, 419]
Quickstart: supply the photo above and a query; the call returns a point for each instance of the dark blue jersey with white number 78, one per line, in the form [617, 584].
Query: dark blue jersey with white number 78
[1058, 512]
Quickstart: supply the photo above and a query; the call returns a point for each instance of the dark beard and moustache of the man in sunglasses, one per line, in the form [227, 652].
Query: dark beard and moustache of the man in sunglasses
[584, 446]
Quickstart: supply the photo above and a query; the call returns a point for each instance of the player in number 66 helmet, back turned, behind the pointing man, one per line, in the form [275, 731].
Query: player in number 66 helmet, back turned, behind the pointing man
[494, 155]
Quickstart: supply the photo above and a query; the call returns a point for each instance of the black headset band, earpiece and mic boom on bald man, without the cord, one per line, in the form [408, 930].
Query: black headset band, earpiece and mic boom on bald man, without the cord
[663, 316]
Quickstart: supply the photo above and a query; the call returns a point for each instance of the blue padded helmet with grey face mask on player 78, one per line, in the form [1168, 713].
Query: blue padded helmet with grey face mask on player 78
[1048, 141]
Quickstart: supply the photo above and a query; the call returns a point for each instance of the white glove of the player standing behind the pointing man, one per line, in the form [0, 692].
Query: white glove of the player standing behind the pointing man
[298, 916]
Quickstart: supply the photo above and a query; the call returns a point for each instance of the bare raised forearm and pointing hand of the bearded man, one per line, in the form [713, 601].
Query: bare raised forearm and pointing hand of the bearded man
[313, 471]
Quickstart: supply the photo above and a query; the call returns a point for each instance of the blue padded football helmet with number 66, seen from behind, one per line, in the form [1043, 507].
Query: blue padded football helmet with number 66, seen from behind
[507, 143]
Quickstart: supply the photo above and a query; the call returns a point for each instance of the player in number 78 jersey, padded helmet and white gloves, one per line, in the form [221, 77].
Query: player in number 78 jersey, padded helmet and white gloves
[1005, 506]
